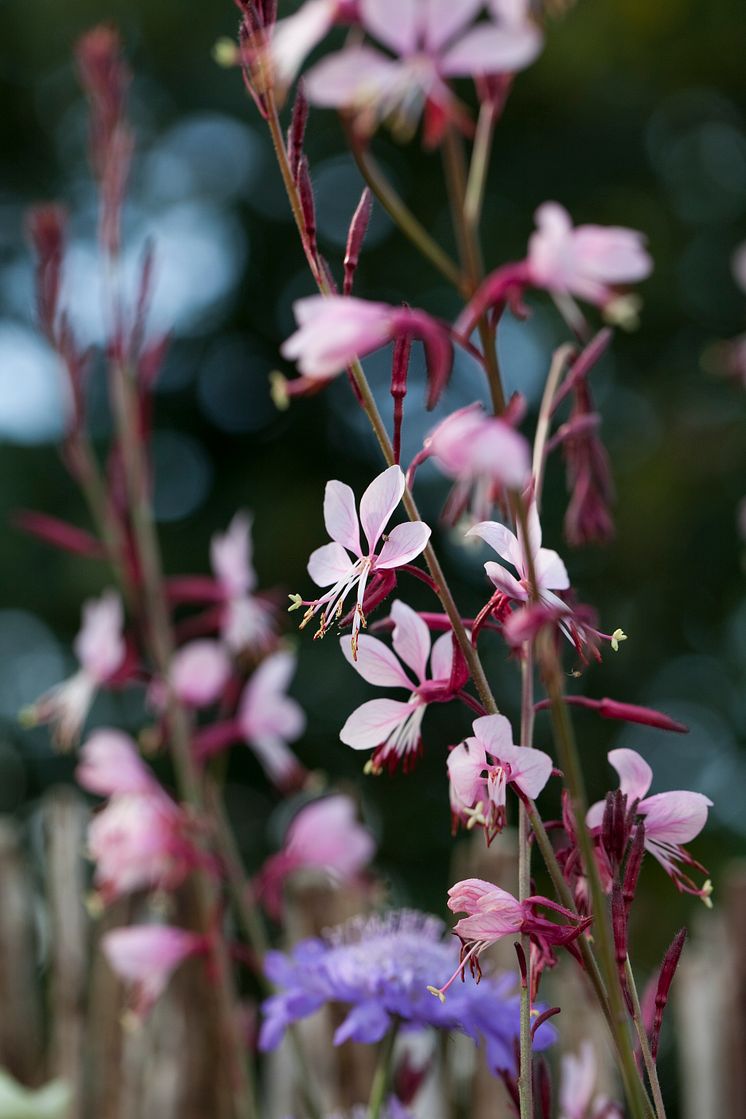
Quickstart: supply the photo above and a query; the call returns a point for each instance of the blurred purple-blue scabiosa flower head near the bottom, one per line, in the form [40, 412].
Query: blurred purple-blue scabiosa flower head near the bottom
[382, 968]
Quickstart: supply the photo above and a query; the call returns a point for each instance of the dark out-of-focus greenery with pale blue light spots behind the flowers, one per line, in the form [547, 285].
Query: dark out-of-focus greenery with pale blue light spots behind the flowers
[634, 116]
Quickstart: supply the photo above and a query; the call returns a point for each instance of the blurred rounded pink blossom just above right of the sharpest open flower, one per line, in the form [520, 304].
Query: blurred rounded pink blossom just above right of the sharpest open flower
[484, 455]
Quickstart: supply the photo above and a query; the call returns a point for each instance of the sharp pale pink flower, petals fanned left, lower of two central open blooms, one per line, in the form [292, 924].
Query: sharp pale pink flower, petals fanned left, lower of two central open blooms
[393, 727]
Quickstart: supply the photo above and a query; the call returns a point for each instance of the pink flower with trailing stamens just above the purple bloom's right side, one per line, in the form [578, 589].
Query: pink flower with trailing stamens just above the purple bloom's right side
[494, 914]
